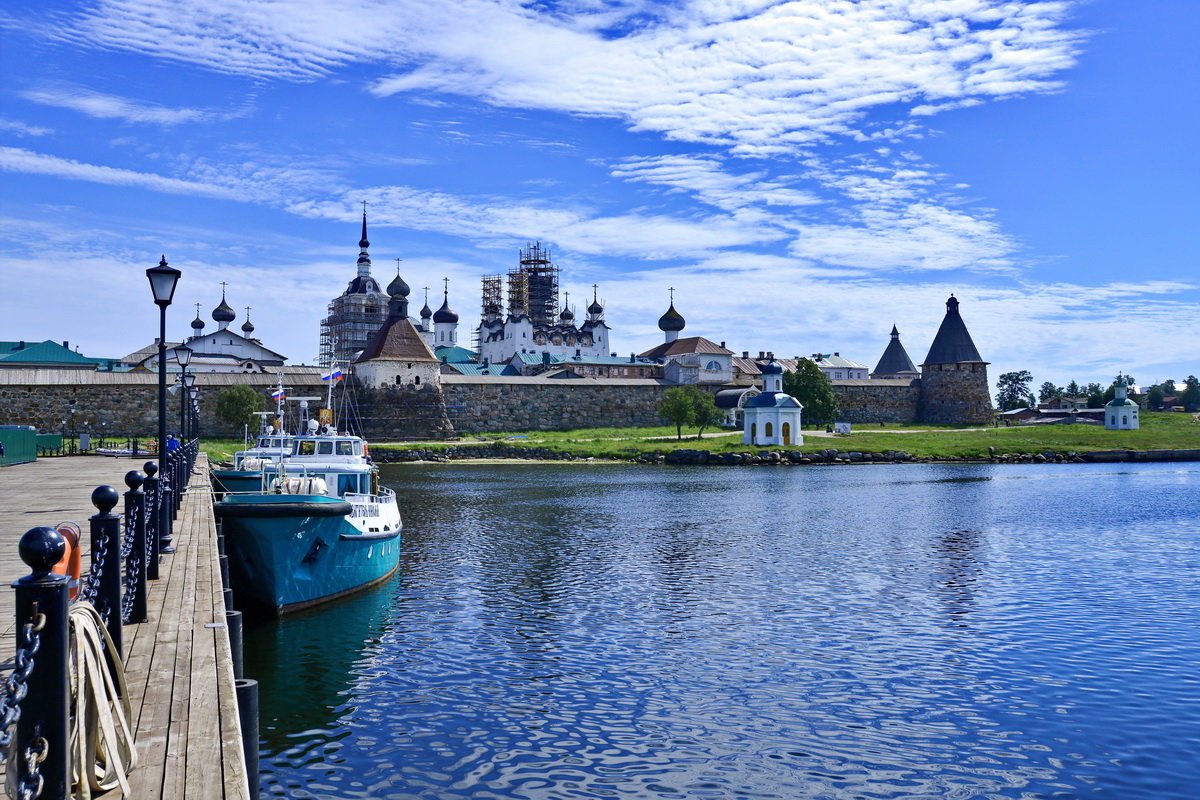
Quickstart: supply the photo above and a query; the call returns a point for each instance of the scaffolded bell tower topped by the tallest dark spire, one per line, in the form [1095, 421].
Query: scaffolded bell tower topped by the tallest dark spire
[353, 317]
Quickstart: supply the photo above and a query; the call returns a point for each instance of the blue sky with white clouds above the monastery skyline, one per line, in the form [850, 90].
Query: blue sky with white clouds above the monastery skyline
[805, 175]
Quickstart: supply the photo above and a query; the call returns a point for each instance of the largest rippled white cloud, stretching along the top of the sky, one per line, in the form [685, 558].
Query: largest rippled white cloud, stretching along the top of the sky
[757, 77]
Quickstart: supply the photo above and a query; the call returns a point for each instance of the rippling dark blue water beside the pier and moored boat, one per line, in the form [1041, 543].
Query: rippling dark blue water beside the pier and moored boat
[609, 631]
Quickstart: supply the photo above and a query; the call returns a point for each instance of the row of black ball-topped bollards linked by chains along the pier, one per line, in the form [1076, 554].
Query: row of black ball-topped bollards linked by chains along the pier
[127, 550]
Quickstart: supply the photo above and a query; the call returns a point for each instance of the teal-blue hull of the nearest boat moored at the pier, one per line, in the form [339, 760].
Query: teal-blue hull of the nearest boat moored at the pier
[290, 552]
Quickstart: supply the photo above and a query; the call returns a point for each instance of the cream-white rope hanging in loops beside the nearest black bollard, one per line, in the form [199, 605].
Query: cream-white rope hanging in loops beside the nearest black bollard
[103, 750]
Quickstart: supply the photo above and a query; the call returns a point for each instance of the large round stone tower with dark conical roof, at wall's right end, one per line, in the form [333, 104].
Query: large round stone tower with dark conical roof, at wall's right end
[953, 377]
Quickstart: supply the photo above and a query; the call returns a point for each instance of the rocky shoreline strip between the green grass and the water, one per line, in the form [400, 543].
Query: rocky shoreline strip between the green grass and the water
[777, 458]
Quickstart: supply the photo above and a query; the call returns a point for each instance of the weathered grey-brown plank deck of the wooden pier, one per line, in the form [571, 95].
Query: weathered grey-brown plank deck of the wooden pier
[179, 666]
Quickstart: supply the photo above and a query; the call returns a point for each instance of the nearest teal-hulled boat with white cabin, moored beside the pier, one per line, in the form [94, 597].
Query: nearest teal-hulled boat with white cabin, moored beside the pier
[317, 528]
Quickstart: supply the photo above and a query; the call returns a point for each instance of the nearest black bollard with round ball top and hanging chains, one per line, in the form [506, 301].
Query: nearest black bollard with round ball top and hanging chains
[45, 720]
